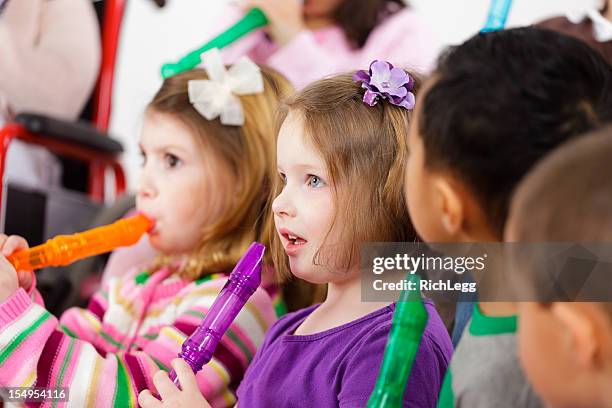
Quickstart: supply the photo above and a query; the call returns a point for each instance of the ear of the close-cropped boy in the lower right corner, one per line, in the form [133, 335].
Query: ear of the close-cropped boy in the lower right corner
[581, 325]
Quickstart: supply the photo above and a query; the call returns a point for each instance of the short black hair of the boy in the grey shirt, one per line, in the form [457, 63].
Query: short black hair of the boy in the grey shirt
[502, 100]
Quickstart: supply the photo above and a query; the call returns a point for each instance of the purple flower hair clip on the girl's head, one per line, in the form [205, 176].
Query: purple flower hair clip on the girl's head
[386, 82]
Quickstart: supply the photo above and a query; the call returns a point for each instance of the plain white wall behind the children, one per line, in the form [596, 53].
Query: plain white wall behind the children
[152, 36]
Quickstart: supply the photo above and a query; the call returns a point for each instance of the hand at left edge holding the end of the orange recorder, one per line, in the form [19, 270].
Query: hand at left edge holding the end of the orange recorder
[11, 280]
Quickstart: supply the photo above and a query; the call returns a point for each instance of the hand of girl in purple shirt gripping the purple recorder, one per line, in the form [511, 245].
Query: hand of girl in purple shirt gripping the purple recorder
[171, 396]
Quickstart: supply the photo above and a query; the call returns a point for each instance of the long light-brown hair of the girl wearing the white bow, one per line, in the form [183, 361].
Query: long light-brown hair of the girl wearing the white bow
[245, 153]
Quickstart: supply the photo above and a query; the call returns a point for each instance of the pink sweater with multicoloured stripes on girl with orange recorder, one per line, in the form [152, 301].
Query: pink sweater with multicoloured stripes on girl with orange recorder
[106, 354]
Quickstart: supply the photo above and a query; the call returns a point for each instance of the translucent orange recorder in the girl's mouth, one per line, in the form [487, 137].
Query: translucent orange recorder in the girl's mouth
[65, 249]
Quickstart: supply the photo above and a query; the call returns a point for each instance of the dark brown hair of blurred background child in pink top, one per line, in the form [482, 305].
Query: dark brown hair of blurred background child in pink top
[358, 18]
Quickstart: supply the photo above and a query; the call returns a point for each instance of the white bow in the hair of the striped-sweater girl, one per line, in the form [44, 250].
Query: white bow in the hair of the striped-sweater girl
[217, 96]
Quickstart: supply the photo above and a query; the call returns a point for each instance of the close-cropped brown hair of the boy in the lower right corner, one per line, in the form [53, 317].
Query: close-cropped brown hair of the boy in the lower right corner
[566, 198]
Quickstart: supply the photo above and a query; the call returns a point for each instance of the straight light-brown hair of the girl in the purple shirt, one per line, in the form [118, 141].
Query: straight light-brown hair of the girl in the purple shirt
[364, 150]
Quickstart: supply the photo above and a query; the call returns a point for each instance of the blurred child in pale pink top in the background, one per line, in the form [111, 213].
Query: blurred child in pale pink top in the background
[309, 40]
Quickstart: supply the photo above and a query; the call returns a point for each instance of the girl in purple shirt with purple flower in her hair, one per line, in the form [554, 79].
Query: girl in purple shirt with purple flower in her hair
[340, 165]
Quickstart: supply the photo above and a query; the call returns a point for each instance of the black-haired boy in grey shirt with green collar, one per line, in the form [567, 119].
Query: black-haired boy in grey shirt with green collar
[496, 105]
